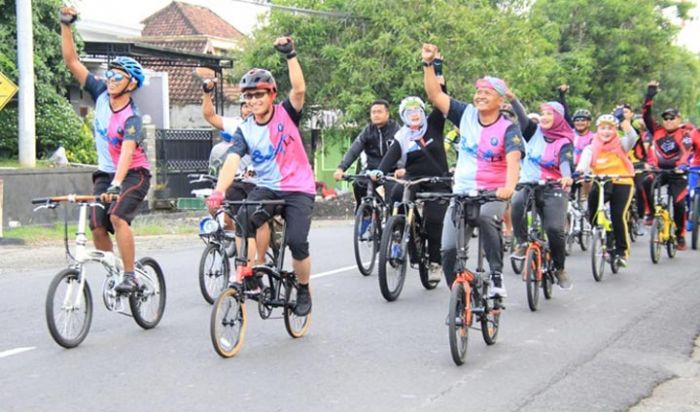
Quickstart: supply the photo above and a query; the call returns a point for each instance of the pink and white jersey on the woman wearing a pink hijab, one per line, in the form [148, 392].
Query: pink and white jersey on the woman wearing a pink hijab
[542, 159]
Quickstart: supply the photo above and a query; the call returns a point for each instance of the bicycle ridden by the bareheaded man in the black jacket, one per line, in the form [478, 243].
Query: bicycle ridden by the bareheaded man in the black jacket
[369, 221]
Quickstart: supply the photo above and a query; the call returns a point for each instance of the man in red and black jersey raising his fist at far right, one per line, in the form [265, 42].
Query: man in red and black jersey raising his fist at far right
[672, 145]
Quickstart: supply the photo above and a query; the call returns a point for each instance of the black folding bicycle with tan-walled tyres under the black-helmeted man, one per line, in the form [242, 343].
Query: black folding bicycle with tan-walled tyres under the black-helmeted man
[270, 285]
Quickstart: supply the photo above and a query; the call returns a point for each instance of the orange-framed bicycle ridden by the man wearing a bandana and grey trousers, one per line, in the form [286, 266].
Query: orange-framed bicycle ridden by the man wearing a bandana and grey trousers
[469, 291]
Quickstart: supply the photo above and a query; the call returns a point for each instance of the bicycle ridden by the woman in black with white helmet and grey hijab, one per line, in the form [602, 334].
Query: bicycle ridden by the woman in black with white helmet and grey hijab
[405, 236]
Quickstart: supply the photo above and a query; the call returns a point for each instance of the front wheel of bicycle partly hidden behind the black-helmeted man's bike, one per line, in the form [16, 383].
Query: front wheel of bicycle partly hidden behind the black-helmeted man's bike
[214, 271]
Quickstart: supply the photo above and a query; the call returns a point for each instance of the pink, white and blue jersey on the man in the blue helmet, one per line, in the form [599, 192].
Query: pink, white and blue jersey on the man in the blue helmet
[111, 128]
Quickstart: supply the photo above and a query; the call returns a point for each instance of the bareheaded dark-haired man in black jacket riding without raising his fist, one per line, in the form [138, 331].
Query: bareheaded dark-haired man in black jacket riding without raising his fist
[374, 140]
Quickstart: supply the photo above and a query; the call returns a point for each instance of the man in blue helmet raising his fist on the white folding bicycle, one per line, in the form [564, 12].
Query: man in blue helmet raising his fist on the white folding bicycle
[123, 167]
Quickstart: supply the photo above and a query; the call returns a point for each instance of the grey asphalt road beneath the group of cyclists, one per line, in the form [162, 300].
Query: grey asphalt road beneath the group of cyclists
[599, 347]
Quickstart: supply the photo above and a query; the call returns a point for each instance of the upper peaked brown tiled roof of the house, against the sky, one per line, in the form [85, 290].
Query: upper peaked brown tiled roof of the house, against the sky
[182, 19]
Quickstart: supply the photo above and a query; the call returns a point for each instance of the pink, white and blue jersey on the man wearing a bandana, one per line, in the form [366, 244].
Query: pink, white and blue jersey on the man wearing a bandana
[482, 149]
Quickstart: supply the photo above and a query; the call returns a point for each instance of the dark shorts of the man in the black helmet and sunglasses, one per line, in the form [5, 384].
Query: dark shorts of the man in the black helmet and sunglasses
[297, 213]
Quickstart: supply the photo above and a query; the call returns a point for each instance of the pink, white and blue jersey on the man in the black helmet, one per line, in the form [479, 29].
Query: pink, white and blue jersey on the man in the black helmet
[277, 151]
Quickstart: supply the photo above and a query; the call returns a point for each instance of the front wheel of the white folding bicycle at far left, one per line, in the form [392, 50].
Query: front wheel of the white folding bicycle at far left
[68, 310]
